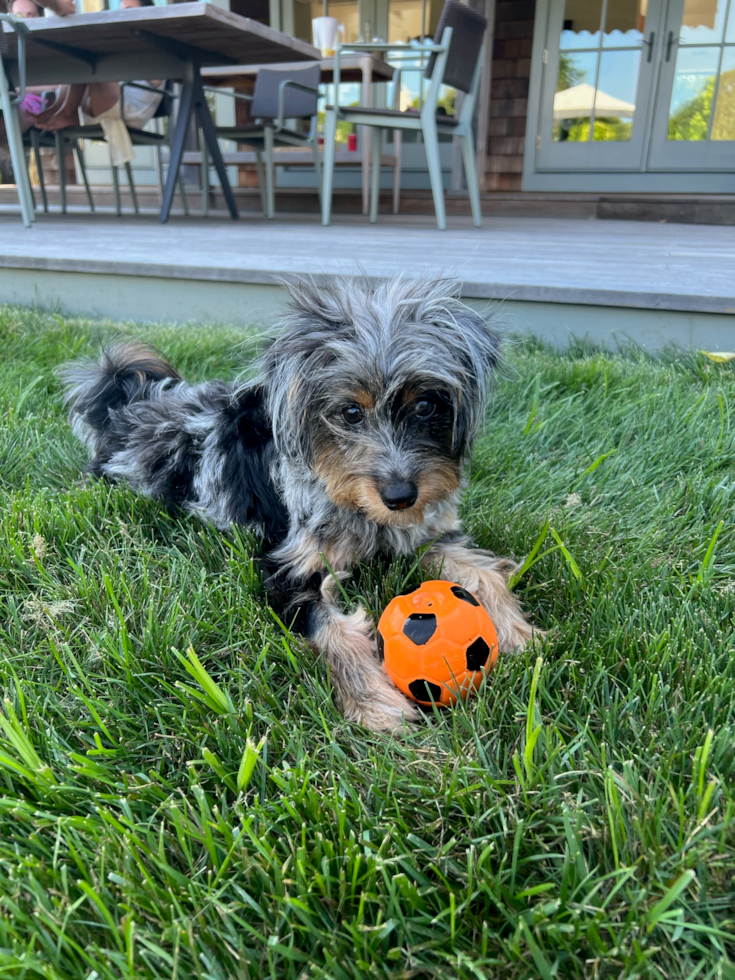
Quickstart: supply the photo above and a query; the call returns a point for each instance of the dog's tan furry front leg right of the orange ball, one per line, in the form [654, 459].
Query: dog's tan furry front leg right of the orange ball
[486, 577]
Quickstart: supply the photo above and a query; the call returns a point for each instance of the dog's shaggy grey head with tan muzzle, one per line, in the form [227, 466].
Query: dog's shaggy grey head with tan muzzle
[379, 390]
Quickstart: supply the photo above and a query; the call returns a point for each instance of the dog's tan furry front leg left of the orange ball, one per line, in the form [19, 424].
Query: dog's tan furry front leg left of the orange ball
[367, 693]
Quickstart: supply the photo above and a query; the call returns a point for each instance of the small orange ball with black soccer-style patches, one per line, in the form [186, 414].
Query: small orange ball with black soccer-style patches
[436, 641]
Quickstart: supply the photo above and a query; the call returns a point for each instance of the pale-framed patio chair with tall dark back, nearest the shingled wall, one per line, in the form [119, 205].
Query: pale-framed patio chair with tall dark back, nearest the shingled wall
[454, 58]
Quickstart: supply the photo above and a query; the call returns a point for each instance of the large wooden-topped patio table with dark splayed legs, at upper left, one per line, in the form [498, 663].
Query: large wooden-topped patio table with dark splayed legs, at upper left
[154, 42]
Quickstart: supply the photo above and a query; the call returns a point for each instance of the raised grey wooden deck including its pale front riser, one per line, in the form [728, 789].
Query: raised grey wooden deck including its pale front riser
[578, 276]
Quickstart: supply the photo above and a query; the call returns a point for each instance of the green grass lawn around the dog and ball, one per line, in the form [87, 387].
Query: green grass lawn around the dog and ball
[168, 816]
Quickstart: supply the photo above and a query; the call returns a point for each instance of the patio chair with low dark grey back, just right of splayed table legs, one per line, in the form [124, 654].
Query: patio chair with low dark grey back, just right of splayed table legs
[279, 98]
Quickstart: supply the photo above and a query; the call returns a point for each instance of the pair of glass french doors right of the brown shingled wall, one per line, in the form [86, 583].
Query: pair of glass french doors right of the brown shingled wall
[638, 85]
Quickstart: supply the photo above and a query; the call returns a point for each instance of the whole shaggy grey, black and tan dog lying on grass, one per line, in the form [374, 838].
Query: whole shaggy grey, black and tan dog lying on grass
[349, 442]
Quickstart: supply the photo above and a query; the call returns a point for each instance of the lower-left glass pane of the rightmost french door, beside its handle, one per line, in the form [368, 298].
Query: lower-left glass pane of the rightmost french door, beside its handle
[691, 99]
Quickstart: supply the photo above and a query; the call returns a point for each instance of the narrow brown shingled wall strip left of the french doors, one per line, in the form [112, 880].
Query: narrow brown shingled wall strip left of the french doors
[511, 69]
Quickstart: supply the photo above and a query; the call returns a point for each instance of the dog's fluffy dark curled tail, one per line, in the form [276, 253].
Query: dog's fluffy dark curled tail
[94, 389]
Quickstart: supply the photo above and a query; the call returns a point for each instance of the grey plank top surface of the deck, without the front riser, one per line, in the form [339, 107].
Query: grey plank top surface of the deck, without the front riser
[610, 263]
